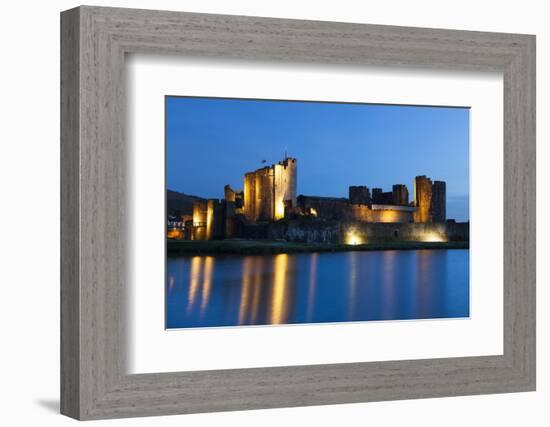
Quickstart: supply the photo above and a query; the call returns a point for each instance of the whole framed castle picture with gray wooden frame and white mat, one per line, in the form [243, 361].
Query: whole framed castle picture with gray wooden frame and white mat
[262, 213]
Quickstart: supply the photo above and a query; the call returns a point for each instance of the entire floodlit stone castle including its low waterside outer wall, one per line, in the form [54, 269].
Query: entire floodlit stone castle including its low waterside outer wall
[269, 195]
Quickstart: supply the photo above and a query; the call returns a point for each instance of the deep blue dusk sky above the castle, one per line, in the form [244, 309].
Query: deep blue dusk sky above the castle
[212, 142]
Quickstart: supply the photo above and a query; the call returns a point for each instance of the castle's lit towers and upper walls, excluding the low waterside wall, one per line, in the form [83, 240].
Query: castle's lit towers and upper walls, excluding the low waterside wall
[270, 194]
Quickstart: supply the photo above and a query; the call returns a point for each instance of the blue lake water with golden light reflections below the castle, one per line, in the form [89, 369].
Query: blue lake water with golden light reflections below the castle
[233, 290]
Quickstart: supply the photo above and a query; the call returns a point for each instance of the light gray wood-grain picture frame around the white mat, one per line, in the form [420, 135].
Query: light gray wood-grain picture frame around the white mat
[94, 41]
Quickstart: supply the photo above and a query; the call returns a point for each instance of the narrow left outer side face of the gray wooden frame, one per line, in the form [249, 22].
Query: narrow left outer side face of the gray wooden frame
[70, 291]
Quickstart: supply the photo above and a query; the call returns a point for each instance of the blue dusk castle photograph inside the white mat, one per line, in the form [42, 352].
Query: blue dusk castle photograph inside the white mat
[293, 212]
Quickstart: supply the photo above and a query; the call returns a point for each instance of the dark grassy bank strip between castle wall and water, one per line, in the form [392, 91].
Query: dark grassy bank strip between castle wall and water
[261, 247]
